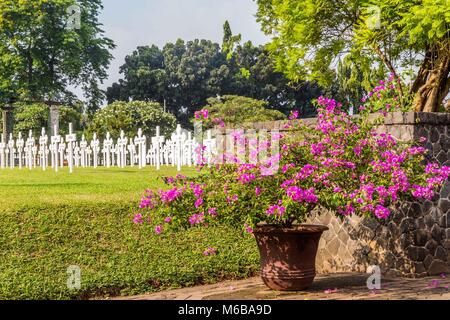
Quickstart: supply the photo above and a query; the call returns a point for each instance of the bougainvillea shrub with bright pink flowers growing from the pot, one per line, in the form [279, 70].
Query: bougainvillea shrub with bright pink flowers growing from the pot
[341, 163]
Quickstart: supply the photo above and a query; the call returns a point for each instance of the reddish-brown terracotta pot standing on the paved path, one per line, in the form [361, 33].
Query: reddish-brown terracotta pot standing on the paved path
[288, 255]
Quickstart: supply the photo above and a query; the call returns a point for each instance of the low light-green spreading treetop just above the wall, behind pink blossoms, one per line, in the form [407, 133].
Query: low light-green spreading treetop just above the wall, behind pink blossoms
[238, 110]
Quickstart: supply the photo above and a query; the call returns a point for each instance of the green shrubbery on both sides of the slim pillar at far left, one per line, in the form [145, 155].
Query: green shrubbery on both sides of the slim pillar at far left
[36, 116]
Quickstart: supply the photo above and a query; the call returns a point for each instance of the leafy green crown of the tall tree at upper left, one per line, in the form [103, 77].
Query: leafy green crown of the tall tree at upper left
[40, 57]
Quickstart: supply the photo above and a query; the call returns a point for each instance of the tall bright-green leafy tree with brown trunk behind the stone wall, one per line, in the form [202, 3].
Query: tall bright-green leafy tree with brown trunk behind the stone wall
[309, 36]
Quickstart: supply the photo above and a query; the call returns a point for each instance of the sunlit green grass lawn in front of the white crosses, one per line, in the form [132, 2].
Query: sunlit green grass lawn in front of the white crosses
[49, 221]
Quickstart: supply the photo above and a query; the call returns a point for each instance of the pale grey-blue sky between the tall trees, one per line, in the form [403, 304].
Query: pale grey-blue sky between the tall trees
[132, 23]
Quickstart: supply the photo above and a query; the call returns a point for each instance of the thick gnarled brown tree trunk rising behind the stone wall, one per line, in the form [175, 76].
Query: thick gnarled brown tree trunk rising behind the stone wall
[433, 82]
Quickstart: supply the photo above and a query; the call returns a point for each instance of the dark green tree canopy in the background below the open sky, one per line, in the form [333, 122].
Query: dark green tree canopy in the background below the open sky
[185, 74]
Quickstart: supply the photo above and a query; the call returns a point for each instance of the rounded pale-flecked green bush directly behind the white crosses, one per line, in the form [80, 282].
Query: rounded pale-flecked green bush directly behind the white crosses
[129, 117]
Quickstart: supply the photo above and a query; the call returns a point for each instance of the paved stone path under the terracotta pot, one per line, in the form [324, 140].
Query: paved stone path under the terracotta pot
[337, 286]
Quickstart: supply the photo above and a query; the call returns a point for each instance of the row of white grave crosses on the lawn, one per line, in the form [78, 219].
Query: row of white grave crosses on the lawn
[57, 151]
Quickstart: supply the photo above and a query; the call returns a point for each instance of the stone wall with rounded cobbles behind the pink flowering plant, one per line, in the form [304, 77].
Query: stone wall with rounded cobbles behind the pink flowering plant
[415, 240]
